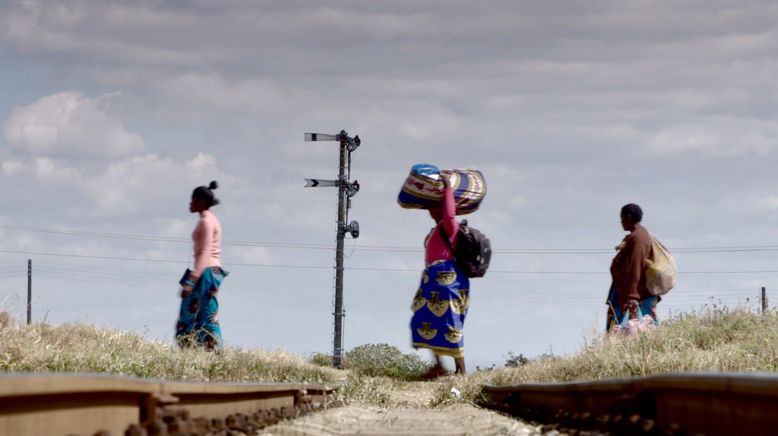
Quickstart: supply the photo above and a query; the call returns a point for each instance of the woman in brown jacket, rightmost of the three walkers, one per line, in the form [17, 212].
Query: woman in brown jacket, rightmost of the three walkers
[628, 293]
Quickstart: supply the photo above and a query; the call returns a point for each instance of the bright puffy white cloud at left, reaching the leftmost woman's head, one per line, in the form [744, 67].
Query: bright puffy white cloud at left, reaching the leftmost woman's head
[70, 143]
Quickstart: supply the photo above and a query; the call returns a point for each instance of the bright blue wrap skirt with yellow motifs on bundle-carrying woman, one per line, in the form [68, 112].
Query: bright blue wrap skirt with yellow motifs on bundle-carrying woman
[439, 309]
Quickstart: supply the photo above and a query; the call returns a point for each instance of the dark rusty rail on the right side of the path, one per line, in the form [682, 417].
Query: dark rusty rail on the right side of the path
[679, 403]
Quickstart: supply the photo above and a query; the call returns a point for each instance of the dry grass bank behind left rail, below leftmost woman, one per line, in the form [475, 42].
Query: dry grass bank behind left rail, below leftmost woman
[84, 348]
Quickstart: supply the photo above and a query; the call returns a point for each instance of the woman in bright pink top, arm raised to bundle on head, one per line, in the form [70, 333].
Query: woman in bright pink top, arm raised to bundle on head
[440, 305]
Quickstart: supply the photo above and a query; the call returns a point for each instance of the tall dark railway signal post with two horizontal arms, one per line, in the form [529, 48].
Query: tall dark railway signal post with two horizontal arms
[346, 190]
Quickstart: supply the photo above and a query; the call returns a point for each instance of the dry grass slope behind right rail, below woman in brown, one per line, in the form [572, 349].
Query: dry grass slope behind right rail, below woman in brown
[716, 340]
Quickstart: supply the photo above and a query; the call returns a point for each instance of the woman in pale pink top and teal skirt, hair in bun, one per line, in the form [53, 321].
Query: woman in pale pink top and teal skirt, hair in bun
[198, 323]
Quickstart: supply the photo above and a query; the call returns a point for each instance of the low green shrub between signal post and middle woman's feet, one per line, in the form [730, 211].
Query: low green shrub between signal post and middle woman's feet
[377, 360]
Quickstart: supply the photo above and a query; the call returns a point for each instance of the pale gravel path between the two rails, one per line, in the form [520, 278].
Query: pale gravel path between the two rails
[411, 415]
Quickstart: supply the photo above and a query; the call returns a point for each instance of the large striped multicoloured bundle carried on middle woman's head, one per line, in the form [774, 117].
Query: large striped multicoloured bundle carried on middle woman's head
[423, 188]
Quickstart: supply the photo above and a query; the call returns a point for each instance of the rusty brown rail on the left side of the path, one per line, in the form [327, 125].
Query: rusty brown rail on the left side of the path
[86, 404]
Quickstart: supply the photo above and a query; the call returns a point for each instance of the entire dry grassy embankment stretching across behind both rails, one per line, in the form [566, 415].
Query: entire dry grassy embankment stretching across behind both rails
[716, 340]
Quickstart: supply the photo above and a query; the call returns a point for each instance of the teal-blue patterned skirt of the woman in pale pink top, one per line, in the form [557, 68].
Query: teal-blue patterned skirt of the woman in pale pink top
[198, 322]
